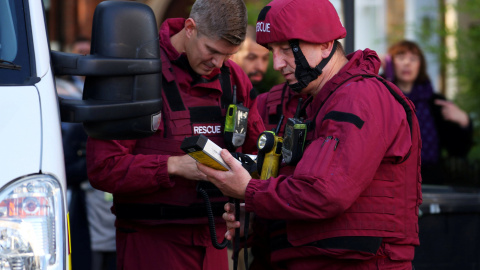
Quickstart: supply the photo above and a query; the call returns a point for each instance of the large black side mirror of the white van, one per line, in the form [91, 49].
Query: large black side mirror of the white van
[122, 94]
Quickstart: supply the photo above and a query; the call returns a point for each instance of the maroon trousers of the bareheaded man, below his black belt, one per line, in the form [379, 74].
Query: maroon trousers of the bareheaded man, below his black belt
[169, 247]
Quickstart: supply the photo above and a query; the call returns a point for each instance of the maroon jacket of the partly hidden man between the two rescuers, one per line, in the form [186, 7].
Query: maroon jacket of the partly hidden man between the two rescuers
[281, 99]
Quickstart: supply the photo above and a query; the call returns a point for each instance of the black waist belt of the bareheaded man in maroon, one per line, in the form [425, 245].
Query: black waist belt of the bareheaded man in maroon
[143, 211]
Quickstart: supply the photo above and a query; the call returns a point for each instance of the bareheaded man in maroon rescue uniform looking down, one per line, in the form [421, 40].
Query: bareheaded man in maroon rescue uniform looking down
[160, 219]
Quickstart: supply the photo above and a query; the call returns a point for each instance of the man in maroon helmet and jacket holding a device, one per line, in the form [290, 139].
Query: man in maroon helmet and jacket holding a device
[351, 201]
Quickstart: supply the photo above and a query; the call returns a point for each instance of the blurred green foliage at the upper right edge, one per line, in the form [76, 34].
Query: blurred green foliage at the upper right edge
[466, 60]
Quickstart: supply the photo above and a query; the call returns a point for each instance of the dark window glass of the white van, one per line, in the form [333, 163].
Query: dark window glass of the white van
[14, 53]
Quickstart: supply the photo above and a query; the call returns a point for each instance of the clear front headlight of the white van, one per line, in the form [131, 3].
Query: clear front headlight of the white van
[32, 226]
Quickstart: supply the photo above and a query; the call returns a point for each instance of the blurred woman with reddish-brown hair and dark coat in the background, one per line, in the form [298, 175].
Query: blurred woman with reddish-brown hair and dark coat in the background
[443, 125]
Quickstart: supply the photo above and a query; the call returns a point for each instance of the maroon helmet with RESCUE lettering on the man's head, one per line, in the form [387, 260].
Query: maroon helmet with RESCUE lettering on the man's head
[314, 21]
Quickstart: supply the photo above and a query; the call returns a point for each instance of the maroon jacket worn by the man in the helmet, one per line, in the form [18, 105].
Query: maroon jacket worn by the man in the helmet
[360, 172]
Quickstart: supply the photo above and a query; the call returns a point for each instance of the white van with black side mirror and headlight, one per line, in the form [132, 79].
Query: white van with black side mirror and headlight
[122, 100]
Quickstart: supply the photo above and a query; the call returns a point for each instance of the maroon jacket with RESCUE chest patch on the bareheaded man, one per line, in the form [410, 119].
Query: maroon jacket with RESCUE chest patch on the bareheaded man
[135, 171]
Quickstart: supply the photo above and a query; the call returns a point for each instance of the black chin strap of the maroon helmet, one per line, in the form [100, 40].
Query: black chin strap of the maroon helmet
[303, 72]
